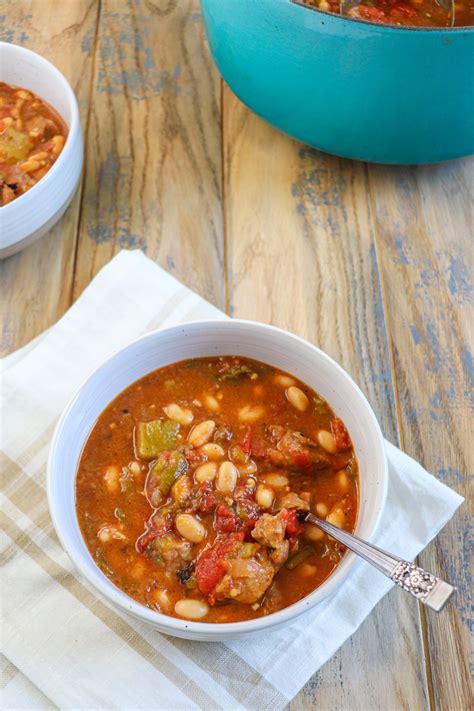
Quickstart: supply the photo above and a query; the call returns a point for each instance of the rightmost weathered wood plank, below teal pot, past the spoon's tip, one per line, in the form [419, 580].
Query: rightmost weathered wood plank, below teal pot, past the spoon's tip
[424, 223]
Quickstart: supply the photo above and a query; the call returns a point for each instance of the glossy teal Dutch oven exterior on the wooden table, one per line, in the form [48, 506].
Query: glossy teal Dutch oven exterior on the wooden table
[353, 88]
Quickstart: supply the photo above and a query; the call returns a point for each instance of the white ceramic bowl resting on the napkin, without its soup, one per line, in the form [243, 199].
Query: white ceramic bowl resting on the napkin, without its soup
[211, 338]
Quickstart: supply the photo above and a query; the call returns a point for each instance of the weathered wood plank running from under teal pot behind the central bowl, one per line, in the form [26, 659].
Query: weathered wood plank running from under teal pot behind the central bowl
[301, 255]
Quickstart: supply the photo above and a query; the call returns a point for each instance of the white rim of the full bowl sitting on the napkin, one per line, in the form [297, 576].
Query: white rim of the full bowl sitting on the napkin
[183, 627]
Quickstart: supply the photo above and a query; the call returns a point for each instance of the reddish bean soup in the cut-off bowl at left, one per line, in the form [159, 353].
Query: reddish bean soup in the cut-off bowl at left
[32, 136]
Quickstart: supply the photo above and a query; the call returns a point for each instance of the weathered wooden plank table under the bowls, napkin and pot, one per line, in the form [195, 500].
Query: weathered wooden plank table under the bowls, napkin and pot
[371, 263]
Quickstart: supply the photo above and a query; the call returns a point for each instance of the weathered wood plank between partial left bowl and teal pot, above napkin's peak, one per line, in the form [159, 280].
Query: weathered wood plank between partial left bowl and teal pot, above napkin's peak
[154, 156]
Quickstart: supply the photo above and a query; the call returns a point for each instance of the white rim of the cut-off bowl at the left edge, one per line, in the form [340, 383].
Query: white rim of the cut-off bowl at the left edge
[73, 127]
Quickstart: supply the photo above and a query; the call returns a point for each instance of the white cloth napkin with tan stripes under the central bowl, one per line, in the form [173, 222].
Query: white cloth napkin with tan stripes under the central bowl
[65, 646]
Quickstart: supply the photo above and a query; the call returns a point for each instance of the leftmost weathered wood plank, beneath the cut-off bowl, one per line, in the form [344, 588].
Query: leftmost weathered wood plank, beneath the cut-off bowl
[37, 283]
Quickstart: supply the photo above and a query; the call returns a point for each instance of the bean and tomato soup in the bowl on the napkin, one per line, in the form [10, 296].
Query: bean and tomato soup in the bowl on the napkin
[128, 516]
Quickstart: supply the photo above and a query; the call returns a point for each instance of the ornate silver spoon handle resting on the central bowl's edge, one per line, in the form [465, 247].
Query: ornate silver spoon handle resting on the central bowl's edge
[426, 587]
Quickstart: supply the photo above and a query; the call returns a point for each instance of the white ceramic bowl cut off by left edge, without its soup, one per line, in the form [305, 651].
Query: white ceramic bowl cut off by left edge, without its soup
[31, 215]
